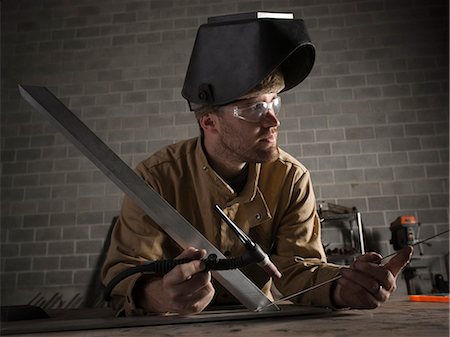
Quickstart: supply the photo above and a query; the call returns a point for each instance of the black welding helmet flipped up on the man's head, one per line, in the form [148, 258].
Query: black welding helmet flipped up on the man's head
[233, 54]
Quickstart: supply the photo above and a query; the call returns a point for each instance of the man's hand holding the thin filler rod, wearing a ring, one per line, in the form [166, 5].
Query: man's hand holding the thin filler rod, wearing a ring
[367, 284]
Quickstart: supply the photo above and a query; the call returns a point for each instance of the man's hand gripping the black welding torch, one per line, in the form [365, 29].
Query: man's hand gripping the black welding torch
[186, 289]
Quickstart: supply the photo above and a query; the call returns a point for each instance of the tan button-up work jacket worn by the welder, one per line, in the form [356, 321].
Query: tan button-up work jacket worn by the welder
[276, 207]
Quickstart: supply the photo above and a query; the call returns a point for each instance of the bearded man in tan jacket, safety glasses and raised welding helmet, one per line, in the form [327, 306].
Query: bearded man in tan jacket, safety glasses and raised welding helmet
[238, 68]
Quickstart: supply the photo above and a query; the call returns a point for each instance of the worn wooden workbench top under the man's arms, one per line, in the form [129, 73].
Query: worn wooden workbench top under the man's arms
[398, 318]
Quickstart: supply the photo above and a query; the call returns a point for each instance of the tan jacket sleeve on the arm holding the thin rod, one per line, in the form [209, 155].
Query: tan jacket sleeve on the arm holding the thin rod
[299, 253]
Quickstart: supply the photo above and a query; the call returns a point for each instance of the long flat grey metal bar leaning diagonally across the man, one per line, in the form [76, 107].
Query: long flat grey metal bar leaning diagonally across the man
[175, 225]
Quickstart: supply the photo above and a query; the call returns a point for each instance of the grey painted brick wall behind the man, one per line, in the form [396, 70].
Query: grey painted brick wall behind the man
[371, 121]
